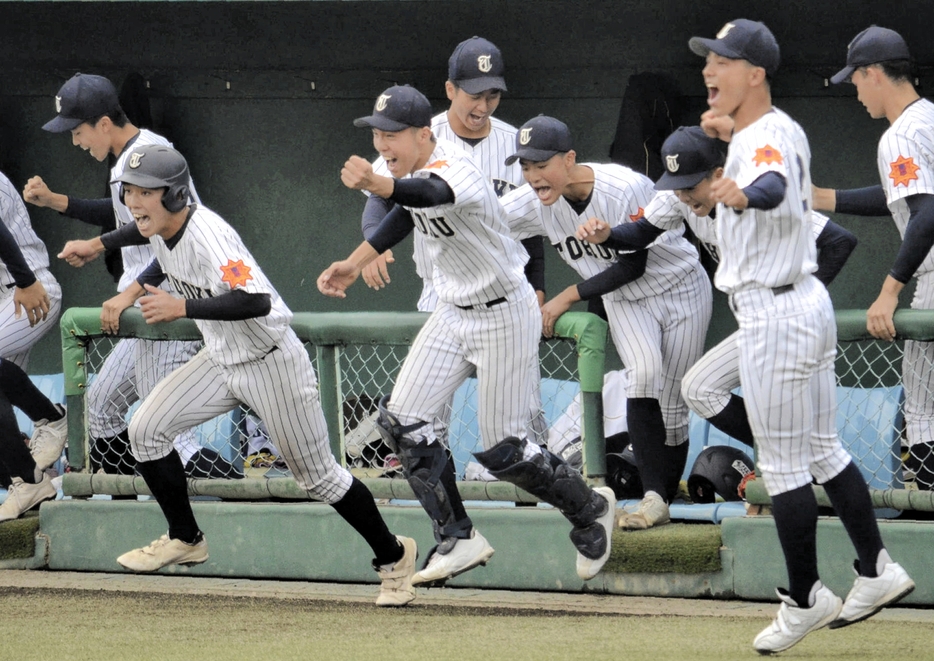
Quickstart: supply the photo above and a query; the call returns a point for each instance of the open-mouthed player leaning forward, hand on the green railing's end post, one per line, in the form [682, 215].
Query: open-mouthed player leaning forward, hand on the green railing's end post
[657, 321]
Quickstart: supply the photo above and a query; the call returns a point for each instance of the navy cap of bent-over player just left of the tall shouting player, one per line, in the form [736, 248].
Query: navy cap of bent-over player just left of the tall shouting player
[689, 154]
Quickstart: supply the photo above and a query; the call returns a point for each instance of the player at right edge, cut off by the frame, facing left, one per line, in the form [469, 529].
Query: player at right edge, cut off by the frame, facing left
[878, 63]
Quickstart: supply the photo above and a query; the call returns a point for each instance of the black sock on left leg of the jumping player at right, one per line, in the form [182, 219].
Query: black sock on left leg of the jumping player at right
[795, 515]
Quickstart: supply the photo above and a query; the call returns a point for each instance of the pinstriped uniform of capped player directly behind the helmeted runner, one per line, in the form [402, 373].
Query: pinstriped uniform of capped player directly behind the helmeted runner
[134, 366]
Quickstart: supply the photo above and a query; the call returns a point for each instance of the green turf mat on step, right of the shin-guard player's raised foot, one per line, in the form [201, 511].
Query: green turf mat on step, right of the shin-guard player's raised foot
[681, 548]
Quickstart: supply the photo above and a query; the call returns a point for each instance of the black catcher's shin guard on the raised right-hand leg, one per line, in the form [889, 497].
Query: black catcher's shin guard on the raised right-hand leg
[550, 479]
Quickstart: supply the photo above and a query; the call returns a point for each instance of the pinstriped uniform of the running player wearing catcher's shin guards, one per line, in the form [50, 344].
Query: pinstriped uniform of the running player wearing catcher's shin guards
[477, 265]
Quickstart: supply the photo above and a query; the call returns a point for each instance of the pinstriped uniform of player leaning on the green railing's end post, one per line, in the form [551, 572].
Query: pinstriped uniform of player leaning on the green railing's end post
[657, 322]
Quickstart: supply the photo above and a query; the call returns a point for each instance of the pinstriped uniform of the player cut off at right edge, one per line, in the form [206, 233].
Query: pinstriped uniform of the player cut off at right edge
[906, 167]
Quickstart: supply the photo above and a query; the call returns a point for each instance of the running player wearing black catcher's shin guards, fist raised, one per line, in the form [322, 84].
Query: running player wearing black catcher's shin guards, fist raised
[487, 319]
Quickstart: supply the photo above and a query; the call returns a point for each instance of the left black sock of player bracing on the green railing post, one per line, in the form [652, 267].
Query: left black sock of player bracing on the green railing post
[647, 433]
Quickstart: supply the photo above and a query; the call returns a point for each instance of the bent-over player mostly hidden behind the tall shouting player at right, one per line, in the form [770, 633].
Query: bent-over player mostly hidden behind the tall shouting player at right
[693, 162]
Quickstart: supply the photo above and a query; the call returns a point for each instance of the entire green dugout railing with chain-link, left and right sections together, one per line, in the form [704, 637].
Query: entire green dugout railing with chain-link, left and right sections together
[356, 355]
